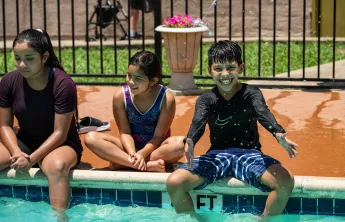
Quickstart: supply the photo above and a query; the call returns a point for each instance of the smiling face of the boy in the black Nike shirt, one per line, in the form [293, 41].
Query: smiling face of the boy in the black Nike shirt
[225, 75]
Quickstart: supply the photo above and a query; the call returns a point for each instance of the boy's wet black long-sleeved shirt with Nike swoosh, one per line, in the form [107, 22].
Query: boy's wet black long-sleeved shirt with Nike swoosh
[233, 123]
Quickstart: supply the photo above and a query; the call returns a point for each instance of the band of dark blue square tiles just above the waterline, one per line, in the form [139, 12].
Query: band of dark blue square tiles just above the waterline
[231, 203]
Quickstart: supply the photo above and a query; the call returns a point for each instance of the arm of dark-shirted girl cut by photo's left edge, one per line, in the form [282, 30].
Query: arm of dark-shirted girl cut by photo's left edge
[7, 136]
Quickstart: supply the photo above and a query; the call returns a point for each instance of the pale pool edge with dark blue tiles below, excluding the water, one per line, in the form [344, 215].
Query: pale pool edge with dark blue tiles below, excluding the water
[311, 195]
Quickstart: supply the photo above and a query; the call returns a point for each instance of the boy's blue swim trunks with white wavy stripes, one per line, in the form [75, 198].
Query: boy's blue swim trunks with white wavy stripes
[243, 164]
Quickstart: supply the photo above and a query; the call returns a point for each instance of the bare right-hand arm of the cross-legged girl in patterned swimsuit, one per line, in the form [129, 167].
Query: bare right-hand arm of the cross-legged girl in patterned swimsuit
[164, 122]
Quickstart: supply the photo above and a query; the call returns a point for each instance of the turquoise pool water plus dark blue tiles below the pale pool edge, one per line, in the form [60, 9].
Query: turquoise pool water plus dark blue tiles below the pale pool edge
[31, 203]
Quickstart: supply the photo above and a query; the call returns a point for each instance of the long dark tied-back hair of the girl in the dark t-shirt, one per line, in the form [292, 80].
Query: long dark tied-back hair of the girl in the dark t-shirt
[39, 40]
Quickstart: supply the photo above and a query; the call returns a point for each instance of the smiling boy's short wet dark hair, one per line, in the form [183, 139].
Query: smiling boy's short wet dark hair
[224, 51]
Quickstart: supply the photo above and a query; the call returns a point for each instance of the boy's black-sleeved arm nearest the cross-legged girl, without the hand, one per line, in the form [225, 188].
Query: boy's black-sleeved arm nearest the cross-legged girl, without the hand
[198, 125]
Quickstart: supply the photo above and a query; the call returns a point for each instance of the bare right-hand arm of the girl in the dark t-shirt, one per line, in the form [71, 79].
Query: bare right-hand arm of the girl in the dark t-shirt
[62, 124]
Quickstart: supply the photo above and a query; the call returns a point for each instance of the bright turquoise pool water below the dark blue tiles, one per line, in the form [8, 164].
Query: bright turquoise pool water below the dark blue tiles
[13, 209]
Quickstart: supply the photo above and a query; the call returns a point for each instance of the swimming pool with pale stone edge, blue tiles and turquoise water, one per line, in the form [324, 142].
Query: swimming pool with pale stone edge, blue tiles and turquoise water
[129, 196]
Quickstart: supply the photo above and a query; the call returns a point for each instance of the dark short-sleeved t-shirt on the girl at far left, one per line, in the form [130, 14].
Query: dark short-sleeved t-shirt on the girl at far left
[35, 110]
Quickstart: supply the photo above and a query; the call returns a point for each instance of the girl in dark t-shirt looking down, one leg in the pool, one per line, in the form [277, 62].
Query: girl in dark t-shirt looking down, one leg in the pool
[43, 98]
